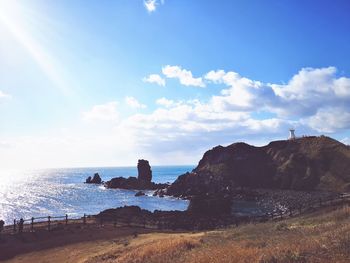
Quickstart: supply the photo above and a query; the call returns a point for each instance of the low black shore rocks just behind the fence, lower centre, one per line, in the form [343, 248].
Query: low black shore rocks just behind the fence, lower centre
[202, 213]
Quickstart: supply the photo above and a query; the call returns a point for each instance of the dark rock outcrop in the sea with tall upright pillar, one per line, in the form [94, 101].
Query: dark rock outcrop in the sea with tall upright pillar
[142, 182]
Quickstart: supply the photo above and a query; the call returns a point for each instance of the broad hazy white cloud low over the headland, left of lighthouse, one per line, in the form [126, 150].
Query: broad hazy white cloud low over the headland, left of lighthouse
[191, 127]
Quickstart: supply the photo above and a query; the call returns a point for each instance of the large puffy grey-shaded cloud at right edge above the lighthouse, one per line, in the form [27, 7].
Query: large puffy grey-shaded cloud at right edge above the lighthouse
[309, 91]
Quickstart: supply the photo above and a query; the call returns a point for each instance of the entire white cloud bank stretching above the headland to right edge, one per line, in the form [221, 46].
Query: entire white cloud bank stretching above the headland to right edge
[314, 100]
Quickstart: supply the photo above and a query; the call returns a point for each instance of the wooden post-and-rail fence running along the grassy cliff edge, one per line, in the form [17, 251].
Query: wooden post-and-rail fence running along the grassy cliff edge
[51, 223]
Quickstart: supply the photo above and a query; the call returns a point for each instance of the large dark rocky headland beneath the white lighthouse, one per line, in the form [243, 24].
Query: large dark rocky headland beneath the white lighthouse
[309, 163]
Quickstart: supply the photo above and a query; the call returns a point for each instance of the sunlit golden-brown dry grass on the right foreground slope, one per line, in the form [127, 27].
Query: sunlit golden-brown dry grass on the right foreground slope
[319, 237]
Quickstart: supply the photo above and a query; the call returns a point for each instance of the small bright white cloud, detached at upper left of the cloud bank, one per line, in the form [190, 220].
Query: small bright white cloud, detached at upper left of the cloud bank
[185, 76]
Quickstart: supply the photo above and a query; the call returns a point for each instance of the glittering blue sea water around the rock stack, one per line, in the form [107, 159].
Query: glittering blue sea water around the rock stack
[56, 192]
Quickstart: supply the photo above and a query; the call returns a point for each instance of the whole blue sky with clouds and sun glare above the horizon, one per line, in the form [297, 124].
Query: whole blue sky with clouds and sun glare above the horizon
[105, 83]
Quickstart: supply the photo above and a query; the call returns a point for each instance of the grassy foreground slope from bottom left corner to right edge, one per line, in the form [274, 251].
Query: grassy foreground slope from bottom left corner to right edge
[322, 236]
